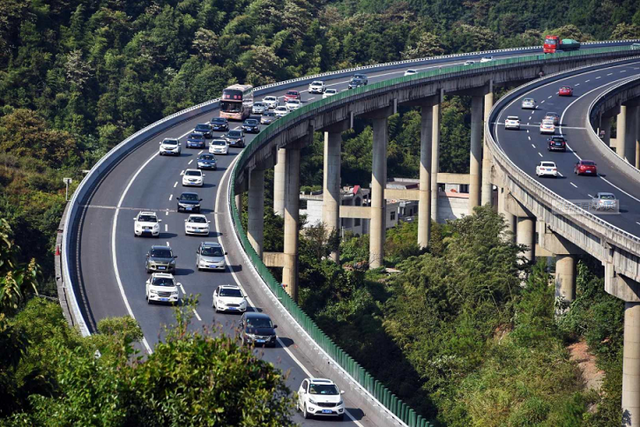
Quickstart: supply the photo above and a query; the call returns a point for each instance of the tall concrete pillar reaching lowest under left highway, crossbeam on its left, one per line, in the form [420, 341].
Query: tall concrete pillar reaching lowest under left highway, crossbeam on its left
[291, 214]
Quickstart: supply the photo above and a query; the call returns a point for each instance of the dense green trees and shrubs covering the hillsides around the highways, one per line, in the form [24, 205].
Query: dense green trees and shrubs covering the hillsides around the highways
[468, 347]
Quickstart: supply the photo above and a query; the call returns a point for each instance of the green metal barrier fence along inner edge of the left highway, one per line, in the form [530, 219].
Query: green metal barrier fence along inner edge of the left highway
[374, 387]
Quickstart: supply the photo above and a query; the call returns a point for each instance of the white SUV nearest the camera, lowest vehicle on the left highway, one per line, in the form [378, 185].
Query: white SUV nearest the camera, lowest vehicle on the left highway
[320, 397]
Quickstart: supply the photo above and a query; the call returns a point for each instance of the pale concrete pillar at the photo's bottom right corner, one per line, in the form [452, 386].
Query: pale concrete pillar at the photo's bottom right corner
[631, 365]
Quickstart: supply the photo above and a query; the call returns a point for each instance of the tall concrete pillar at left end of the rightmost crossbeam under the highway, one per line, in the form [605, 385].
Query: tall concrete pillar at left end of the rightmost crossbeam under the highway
[424, 204]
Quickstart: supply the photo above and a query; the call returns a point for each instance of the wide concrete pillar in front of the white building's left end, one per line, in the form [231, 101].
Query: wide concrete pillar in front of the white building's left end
[331, 183]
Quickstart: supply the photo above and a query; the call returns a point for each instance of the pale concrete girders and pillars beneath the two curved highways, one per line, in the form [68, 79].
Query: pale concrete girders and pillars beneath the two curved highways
[525, 204]
